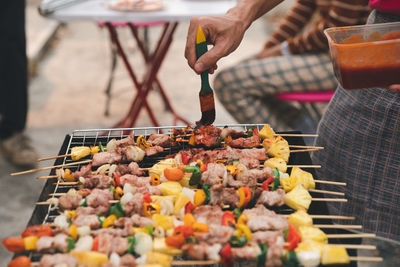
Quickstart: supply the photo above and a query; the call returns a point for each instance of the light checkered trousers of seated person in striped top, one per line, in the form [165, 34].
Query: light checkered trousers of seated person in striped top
[247, 90]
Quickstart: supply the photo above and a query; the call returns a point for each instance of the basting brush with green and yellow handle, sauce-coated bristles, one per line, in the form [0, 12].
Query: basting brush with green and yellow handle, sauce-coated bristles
[206, 94]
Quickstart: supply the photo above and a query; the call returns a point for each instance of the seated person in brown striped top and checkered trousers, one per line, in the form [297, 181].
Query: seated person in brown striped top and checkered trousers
[291, 61]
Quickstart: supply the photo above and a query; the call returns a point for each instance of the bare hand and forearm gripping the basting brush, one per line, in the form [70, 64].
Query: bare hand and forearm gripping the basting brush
[225, 32]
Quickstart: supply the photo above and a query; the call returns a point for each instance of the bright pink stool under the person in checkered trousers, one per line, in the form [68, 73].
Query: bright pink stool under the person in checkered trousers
[310, 99]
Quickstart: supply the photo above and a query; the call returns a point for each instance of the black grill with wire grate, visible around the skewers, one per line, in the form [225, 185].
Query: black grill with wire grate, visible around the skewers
[91, 137]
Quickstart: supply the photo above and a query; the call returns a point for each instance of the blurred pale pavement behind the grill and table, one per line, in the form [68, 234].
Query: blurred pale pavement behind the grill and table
[69, 66]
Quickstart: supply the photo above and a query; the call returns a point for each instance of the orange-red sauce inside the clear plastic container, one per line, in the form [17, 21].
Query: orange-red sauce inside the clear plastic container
[366, 64]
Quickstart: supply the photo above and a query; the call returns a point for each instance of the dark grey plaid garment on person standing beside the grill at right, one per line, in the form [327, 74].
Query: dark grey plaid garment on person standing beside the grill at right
[360, 131]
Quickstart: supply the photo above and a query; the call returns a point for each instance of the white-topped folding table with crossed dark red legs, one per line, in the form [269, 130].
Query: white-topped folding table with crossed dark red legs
[174, 11]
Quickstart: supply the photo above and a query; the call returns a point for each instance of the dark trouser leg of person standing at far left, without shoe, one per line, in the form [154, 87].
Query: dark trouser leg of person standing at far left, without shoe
[13, 68]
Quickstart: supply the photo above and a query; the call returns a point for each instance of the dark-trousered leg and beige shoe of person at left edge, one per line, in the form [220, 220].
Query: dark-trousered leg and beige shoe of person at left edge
[14, 144]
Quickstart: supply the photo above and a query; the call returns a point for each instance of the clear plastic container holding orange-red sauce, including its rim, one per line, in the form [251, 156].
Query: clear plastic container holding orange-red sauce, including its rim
[366, 56]
